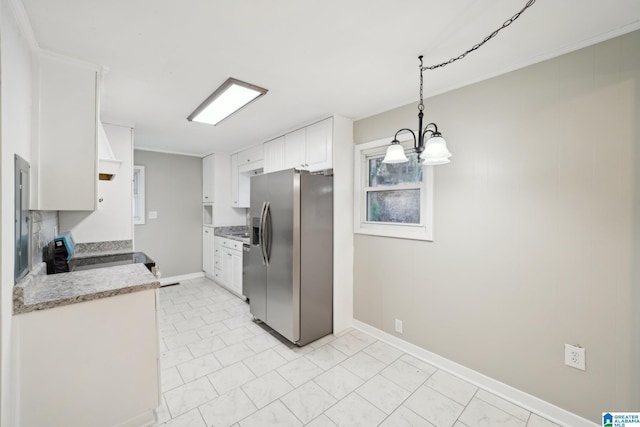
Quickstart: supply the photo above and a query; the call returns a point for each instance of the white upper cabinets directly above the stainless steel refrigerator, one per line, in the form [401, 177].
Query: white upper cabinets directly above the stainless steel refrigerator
[309, 148]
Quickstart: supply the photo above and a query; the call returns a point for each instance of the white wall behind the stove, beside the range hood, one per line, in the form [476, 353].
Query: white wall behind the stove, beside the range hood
[113, 218]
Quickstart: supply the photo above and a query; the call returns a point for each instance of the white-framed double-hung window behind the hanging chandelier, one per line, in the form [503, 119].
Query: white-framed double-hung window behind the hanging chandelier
[393, 200]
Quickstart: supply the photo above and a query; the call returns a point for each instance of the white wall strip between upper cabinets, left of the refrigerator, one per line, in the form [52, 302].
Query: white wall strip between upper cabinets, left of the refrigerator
[223, 213]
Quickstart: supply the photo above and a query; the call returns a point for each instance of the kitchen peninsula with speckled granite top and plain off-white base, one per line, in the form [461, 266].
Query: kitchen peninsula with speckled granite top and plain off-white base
[88, 347]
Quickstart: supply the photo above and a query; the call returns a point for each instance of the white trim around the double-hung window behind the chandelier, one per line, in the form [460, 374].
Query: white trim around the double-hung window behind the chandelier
[423, 231]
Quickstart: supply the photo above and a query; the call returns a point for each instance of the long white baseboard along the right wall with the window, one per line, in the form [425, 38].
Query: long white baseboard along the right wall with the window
[520, 398]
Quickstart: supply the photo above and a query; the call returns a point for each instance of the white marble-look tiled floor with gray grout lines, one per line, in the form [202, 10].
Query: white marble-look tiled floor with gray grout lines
[219, 368]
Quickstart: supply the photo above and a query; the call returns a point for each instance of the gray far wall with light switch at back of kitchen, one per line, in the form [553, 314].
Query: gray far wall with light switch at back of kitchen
[173, 187]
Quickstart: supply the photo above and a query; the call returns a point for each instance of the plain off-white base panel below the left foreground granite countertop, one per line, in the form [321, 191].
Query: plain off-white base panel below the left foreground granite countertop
[95, 363]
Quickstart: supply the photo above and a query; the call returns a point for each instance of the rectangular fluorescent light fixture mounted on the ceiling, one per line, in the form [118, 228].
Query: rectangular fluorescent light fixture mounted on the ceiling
[230, 97]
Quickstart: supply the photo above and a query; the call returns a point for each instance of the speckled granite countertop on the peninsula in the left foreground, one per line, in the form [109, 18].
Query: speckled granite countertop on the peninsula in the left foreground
[39, 291]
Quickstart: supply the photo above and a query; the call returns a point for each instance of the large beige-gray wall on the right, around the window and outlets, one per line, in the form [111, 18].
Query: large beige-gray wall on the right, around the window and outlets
[536, 231]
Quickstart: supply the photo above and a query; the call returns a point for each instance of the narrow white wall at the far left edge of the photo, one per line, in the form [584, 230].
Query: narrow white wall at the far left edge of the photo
[15, 136]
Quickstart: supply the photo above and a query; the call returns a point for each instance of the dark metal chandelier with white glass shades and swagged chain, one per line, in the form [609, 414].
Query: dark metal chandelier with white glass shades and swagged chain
[429, 143]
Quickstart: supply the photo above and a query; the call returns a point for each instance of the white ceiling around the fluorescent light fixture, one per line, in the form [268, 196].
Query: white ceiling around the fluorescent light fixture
[355, 58]
